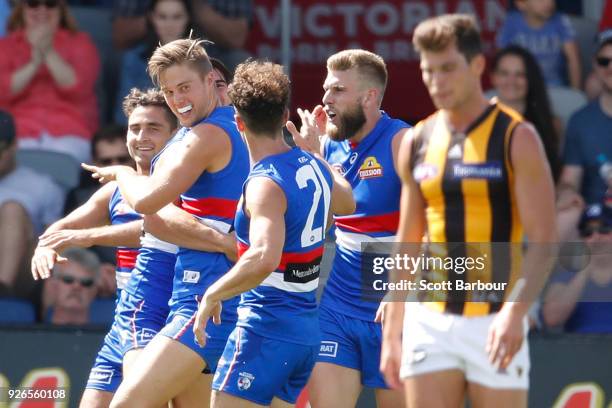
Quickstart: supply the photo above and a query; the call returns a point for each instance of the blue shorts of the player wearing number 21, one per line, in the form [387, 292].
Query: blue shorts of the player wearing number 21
[257, 368]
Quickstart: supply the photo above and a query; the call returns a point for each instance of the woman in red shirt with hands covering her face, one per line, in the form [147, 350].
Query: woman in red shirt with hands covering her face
[48, 72]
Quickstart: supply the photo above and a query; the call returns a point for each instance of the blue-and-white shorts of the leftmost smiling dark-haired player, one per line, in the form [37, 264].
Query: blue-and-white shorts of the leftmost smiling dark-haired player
[136, 323]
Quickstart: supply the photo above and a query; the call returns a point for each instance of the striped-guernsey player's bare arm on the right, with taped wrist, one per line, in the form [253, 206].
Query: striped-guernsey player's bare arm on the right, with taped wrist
[535, 199]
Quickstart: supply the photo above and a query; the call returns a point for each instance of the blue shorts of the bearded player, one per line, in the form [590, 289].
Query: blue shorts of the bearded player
[352, 343]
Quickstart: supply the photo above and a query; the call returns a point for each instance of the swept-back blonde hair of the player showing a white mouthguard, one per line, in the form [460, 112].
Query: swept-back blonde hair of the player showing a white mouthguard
[183, 51]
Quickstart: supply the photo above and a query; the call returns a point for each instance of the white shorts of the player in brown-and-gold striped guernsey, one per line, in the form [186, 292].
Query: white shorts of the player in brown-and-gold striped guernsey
[436, 341]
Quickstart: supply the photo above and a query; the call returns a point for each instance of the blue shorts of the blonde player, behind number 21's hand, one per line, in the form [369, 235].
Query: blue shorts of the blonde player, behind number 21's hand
[179, 327]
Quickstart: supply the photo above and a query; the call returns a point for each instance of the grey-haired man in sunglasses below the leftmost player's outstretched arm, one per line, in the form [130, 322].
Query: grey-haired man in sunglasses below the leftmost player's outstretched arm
[69, 294]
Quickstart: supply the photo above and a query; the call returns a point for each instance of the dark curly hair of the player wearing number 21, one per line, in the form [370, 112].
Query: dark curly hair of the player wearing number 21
[260, 93]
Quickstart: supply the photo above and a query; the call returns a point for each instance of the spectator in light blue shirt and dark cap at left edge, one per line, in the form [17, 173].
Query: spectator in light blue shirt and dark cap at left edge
[29, 201]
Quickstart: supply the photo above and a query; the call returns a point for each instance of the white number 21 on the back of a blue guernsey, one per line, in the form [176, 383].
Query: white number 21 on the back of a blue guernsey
[311, 171]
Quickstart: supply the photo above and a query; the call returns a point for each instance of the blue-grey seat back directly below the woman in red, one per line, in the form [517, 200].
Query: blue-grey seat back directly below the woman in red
[63, 168]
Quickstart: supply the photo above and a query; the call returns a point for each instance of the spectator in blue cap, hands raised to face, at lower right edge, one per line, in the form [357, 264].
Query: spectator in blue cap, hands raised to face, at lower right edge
[581, 301]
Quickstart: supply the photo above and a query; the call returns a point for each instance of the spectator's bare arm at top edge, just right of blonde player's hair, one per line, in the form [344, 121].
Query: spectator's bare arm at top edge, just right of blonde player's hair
[223, 31]
